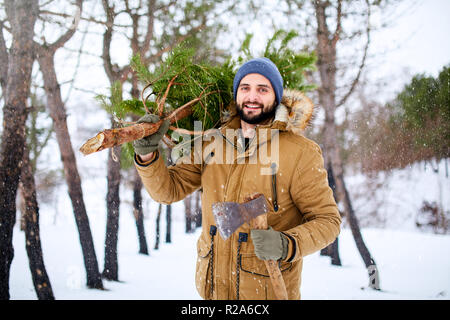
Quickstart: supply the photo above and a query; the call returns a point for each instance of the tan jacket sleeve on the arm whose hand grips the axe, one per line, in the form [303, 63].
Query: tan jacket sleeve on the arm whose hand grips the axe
[314, 198]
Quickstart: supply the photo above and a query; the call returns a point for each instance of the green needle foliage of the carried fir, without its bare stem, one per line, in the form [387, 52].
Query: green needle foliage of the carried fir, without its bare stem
[180, 78]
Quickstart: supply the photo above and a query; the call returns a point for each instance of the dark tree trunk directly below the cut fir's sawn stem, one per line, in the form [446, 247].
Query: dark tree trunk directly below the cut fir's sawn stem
[111, 266]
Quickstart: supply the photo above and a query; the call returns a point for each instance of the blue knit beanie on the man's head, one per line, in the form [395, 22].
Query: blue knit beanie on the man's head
[265, 67]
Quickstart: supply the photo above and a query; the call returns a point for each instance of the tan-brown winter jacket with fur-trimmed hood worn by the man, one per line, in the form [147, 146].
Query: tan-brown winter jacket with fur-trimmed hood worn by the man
[295, 185]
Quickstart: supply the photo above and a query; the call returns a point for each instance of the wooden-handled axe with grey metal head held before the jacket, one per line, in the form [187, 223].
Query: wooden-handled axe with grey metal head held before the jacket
[230, 216]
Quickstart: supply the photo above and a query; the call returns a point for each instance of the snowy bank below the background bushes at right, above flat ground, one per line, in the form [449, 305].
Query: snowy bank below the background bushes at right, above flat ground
[397, 196]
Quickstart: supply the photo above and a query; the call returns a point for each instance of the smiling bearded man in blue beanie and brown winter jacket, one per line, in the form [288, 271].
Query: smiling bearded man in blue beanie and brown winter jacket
[303, 216]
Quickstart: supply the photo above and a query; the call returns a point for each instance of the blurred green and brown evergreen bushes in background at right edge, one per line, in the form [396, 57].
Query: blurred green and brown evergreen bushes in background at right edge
[414, 127]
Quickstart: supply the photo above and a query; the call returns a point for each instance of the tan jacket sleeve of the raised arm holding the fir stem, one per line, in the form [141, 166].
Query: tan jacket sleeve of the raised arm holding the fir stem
[166, 185]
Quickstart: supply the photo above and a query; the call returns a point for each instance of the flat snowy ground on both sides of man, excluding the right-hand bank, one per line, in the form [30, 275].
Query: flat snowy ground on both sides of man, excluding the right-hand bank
[411, 265]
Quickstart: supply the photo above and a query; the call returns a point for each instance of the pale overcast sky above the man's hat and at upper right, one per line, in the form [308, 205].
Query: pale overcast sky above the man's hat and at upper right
[416, 40]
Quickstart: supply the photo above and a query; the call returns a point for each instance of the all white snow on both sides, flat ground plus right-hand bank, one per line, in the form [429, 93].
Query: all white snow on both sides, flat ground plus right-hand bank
[412, 264]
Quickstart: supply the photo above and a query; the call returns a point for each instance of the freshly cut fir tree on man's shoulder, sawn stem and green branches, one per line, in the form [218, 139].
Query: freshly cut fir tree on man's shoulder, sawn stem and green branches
[183, 90]
